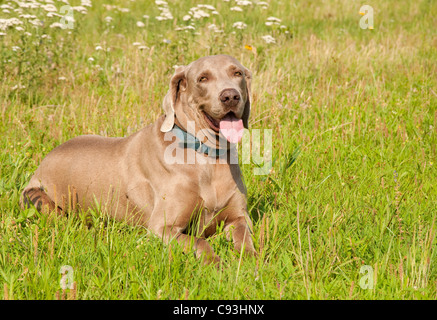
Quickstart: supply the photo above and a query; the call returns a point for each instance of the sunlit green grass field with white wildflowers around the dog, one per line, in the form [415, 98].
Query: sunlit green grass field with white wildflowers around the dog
[353, 114]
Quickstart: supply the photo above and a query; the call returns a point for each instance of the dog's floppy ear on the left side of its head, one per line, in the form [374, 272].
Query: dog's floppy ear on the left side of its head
[177, 84]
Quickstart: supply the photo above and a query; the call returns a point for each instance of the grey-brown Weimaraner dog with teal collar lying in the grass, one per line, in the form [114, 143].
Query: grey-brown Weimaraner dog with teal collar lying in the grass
[134, 178]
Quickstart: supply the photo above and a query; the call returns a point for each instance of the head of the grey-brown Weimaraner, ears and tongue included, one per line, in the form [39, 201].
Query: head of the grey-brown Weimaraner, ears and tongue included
[213, 93]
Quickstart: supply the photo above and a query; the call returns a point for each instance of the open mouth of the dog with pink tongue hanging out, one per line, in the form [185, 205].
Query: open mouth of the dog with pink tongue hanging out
[229, 126]
